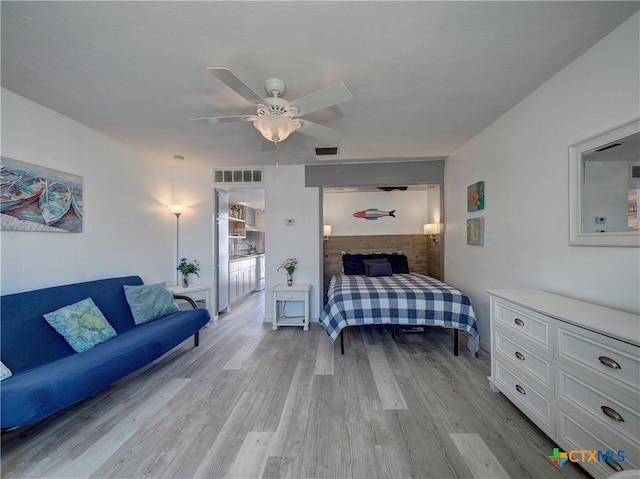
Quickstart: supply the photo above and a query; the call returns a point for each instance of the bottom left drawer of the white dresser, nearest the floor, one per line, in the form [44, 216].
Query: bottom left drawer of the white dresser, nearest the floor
[521, 390]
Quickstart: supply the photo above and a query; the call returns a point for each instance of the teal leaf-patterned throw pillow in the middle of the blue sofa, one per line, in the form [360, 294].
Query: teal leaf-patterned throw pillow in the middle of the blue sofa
[81, 324]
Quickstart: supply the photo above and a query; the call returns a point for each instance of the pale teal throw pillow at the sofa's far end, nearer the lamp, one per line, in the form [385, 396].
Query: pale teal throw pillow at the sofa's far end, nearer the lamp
[150, 301]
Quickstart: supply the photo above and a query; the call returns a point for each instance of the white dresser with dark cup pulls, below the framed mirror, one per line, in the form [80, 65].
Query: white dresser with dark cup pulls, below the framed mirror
[574, 369]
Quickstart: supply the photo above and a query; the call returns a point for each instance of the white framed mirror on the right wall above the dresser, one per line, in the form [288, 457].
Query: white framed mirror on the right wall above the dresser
[604, 186]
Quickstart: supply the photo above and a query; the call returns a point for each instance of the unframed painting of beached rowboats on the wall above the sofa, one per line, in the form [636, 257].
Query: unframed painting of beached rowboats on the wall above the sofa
[35, 198]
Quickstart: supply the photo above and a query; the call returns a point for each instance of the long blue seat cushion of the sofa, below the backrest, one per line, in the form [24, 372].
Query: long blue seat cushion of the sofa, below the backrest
[48, 388]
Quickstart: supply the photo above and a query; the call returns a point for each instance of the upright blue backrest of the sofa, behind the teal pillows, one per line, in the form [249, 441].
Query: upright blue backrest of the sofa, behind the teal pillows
[27, 341]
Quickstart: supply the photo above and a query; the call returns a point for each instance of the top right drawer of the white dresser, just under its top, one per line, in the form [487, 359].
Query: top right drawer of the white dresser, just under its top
[613, 362]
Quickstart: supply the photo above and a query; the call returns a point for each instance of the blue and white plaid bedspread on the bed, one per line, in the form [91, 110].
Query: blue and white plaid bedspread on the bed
[404, 299]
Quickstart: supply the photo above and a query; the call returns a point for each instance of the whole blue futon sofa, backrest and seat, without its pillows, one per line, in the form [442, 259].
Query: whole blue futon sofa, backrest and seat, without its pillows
[48, 375]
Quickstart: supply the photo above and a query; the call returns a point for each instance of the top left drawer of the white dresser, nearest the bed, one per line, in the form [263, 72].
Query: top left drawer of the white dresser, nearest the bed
[526, 324]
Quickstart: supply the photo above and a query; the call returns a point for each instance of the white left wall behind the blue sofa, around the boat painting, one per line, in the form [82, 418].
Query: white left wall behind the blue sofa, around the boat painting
[127, 228]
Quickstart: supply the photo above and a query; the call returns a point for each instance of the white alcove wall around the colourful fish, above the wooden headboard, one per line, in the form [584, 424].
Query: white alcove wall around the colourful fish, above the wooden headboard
[410, 212]
